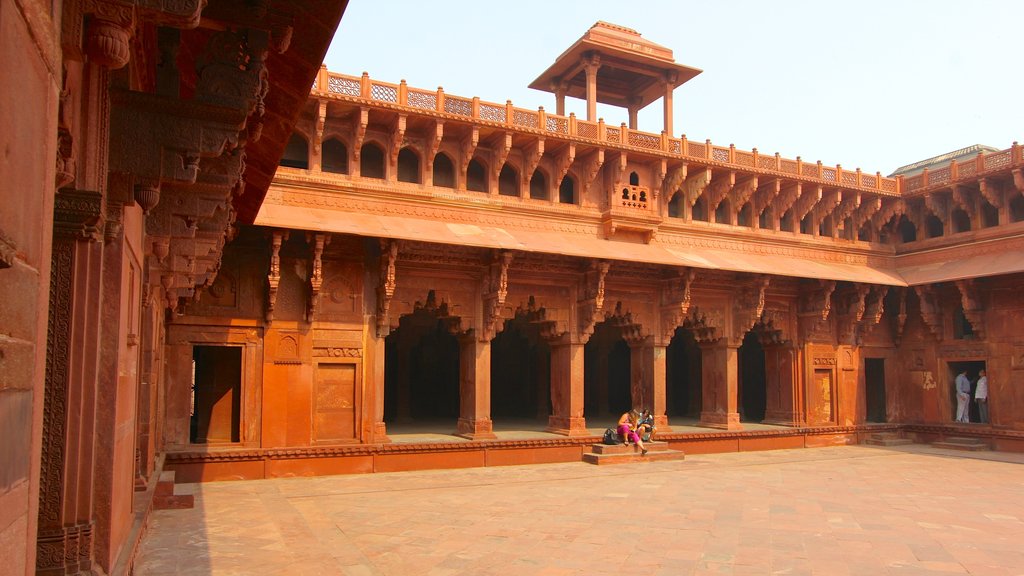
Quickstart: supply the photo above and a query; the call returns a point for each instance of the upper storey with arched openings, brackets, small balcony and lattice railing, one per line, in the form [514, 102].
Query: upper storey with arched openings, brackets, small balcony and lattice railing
[434, 139]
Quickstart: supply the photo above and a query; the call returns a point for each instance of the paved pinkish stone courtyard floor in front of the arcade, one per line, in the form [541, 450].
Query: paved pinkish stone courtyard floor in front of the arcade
[842, 511]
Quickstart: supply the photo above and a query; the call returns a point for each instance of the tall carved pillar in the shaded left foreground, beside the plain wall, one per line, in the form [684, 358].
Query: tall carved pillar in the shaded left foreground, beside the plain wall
[65, 534]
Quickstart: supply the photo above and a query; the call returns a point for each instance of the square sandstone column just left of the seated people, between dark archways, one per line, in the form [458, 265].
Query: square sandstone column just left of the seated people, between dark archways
[567, 390]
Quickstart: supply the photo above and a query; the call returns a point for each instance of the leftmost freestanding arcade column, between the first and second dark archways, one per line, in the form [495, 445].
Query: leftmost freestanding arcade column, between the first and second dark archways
[475, 389]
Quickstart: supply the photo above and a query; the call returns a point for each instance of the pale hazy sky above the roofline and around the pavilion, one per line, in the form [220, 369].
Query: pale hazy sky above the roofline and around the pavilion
[871, 85]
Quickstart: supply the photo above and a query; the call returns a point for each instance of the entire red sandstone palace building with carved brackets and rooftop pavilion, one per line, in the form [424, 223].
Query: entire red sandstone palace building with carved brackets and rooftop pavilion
[433, 263]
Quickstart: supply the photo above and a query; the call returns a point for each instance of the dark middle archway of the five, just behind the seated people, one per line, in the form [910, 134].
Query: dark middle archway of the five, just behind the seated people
[607, 374]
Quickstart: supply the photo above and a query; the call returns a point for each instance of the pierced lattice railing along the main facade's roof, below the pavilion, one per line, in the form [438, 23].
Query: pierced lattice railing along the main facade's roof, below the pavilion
[329, 84]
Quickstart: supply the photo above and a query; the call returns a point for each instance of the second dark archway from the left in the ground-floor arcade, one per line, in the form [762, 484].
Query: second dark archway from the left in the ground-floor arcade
[521, 374]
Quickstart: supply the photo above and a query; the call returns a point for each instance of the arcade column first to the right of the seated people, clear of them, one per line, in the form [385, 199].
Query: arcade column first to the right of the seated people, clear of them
[720, 375]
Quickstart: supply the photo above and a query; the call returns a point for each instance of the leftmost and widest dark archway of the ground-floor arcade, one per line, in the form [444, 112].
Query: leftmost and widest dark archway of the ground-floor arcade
[421, 372]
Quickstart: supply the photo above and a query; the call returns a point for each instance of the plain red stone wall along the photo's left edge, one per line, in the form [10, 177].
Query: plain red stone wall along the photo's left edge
[29, 88]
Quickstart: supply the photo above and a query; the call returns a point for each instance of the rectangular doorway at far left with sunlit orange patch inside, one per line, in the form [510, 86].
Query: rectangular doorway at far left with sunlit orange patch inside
[217, 395]
